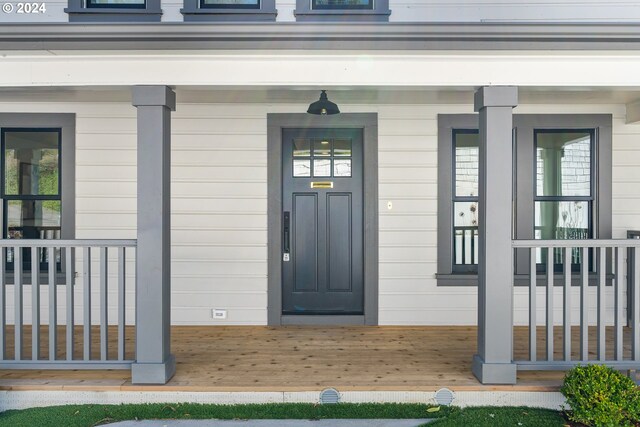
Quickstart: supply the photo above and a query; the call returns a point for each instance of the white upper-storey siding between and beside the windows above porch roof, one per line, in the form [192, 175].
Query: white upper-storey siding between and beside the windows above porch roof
[421, 10]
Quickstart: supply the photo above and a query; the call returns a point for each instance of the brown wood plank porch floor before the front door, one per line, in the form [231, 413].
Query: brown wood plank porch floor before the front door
[300, 358]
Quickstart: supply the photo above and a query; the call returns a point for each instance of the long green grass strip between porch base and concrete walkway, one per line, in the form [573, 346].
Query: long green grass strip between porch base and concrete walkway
[91, 415]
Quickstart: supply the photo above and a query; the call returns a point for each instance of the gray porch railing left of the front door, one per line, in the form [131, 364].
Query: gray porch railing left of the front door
[60, 340]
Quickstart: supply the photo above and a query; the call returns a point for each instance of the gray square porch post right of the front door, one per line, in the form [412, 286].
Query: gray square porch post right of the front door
[494, 362]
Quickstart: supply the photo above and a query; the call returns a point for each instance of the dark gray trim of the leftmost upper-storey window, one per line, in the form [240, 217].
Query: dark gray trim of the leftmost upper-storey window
[78, 12]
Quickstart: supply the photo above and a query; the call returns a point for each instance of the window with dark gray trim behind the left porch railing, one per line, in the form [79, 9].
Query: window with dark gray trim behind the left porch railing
[38, 200]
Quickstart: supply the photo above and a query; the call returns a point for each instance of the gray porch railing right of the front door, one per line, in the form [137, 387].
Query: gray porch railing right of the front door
[595, 288]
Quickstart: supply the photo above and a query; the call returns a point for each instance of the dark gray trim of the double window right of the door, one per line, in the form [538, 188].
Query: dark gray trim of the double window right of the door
[524, 182]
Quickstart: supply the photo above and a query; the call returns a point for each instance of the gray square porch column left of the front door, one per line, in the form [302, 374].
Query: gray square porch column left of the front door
[154, 362]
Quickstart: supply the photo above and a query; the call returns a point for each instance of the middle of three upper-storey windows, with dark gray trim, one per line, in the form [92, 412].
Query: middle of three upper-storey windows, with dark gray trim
[229, 10]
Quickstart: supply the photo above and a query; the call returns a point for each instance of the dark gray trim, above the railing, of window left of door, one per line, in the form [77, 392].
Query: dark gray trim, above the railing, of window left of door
[67, 122]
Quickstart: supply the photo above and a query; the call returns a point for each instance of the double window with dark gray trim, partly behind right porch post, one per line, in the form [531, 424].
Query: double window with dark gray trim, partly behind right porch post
[562, 187]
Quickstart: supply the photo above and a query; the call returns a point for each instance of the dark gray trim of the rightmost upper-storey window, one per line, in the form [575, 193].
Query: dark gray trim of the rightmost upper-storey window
[379, 12]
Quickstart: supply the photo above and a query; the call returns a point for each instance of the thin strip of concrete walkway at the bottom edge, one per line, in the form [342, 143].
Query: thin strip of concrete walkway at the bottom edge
[273, 423]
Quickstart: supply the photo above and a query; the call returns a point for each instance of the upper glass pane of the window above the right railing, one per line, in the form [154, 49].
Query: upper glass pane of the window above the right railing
[563, 163]
